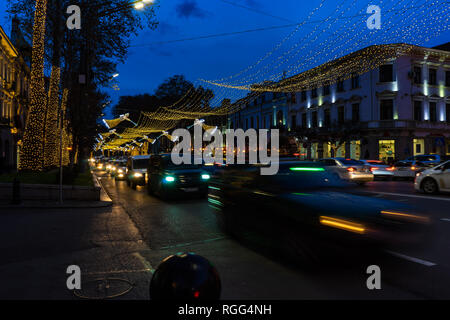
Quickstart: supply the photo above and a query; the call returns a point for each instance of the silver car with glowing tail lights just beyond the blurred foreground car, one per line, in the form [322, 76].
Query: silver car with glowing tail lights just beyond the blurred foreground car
[348, 169]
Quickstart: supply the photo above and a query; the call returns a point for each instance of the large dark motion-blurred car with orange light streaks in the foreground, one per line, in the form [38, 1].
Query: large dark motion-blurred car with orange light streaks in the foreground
[306, 209]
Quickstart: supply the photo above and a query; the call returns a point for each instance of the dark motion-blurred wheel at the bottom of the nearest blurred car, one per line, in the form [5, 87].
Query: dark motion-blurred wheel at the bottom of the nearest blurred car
[301, 250]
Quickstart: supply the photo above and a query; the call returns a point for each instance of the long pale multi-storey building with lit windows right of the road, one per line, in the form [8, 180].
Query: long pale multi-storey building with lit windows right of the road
[400, 109]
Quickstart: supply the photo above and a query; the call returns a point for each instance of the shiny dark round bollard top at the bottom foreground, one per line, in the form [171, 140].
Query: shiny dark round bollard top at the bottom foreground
[187, 277]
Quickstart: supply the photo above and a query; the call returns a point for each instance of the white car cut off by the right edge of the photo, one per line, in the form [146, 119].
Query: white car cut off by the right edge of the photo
[434, 180]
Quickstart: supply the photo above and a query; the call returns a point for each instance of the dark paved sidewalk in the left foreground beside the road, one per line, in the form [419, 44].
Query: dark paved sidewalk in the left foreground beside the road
[37, 246]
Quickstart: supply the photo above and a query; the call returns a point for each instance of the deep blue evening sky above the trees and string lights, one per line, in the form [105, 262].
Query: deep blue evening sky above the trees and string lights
[150, 62]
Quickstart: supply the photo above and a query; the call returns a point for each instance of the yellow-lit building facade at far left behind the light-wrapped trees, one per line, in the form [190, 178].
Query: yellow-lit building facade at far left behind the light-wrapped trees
[14, 81]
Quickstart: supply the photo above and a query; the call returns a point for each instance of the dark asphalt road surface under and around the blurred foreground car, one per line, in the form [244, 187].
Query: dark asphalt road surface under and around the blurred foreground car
[189, 225]
